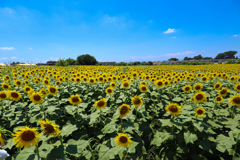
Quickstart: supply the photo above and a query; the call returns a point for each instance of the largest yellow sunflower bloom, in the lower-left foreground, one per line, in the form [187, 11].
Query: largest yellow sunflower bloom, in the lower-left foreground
[26, 137]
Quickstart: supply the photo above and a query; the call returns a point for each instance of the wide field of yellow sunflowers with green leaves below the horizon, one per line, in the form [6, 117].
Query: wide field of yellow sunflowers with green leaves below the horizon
[139, 113]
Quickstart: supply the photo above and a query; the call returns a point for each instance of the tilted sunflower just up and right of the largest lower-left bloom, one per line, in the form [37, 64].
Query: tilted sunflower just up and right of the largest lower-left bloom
[49, 128]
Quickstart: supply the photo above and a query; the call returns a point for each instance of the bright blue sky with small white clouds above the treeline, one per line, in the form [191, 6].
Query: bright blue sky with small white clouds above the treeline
[117, 30]
